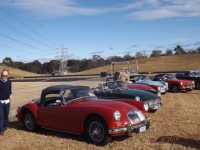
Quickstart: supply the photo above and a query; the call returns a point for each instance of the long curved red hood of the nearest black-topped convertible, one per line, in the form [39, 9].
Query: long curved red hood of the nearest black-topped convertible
[101, 103]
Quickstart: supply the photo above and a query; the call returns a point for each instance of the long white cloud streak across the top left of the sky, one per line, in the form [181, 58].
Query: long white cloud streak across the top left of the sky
[51, 8]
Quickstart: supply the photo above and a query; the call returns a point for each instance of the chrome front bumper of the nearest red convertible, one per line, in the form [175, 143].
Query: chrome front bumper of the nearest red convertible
[129, 129]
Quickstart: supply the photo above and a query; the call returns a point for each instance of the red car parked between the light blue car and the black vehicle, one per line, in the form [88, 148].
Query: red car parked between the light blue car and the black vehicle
[175, 85]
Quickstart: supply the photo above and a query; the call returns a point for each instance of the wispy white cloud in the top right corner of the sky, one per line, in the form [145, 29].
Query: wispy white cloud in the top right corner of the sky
[167, 9]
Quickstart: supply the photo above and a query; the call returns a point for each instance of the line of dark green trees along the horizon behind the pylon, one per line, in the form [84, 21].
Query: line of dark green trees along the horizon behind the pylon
[76, 65]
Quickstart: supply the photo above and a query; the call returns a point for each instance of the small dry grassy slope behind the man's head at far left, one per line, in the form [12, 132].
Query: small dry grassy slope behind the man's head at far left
[16, 73]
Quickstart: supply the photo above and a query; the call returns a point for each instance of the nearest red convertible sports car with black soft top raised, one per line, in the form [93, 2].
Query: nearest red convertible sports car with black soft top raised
[75, 109]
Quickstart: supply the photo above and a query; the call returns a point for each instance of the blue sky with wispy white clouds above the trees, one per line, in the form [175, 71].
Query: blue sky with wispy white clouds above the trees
[36, 29]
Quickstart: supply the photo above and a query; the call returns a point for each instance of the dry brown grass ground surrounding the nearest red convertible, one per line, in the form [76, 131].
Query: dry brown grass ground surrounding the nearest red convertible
[175, 126]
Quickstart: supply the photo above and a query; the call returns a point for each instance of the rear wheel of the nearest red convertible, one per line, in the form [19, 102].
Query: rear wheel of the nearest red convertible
[29, 121]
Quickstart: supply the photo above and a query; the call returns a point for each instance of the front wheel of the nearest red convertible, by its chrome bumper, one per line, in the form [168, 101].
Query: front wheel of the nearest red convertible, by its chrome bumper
[96, 131]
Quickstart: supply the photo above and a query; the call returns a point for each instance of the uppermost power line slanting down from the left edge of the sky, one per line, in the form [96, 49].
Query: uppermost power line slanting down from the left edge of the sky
[25, 25]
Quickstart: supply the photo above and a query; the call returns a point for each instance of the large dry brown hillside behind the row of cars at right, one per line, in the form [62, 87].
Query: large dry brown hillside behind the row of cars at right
[157, 64]
